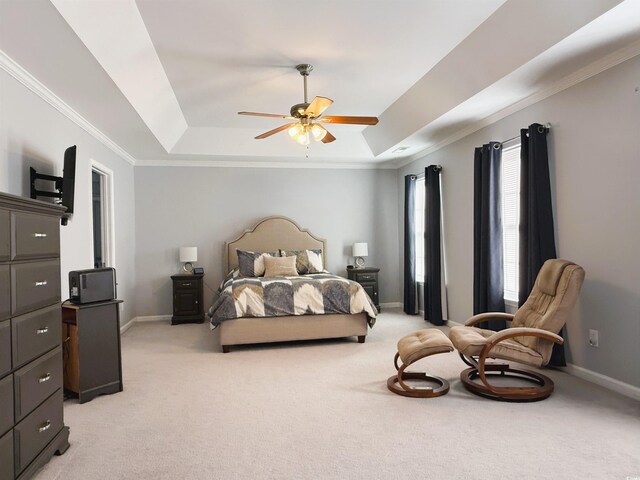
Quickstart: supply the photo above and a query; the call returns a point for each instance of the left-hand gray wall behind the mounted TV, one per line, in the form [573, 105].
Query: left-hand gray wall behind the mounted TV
[34, 134]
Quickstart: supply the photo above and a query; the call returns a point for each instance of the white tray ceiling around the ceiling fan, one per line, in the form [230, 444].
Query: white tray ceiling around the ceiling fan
[164, 79]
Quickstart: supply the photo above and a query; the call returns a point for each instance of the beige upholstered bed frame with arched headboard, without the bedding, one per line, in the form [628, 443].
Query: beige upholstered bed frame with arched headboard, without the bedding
[274, 234]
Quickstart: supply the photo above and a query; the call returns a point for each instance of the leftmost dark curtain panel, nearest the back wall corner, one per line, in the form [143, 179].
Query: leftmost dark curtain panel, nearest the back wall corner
[410, 289]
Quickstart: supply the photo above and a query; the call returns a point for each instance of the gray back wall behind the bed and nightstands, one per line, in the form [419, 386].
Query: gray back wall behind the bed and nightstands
[204, 207]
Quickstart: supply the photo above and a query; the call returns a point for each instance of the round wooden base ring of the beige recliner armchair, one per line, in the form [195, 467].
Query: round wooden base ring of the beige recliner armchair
[508, 394]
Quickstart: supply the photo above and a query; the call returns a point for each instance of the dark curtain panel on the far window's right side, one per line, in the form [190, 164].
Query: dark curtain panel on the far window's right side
[432, 260]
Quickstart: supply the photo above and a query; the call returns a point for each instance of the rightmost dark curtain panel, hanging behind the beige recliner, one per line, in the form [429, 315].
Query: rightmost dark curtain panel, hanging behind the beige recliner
[537, 239]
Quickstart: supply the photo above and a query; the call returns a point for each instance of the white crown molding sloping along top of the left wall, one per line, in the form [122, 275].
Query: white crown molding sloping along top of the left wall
[33, 84]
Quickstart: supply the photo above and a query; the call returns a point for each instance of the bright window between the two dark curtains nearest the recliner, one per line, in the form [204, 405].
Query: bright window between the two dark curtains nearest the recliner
[510, 218]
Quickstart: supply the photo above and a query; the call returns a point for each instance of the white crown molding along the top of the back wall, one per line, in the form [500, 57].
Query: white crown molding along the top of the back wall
[266, 164]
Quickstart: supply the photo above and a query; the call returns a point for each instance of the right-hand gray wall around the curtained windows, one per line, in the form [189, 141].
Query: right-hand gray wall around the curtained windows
[594, 148]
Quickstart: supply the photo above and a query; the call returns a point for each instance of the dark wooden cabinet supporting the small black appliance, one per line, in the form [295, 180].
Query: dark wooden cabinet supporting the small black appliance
[92, 357]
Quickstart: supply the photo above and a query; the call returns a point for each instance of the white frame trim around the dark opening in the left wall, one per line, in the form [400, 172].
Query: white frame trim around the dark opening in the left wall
[108, 209]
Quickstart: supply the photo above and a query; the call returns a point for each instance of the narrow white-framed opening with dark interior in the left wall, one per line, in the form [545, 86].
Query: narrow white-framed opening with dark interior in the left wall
[101, 206]
